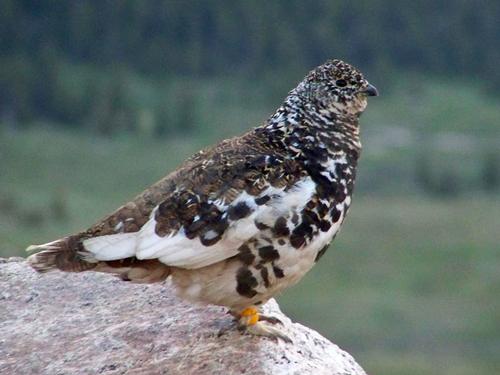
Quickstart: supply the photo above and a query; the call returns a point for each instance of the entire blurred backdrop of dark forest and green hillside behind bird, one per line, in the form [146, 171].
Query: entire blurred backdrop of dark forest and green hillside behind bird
[99, 99]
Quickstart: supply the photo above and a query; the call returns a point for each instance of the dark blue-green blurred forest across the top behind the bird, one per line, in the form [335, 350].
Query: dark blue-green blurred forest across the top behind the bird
[104, 66]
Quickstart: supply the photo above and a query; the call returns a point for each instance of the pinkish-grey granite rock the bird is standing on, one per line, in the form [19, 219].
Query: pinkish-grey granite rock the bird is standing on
[90, 323]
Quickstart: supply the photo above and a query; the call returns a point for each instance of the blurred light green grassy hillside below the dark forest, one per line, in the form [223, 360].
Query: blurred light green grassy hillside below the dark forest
[410, 285]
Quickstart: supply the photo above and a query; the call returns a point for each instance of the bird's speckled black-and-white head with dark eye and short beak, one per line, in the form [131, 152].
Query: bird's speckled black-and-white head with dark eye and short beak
[338, 87]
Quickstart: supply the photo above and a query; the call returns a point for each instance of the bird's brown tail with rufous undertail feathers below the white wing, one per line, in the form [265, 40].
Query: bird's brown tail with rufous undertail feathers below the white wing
[68, 254]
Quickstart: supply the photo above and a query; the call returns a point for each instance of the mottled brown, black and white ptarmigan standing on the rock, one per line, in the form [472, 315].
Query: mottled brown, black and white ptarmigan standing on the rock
[239, 222]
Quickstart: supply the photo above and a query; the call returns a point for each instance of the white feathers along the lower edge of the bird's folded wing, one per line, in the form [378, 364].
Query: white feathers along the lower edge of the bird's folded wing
[179, 251]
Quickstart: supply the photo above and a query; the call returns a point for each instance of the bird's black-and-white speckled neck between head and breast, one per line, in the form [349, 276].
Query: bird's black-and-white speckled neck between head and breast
[305, 127]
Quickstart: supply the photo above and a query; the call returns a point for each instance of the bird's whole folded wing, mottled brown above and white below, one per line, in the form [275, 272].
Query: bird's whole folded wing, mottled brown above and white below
[216, 207]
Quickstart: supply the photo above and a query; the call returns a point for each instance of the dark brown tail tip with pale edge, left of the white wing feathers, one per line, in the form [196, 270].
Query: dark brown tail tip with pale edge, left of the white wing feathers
[63, 254]
